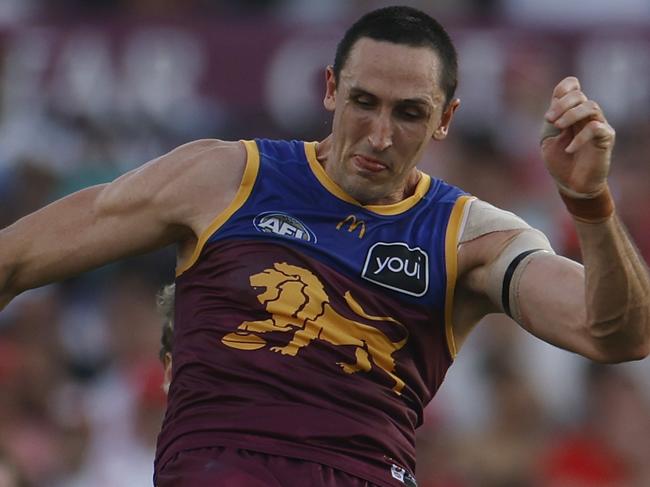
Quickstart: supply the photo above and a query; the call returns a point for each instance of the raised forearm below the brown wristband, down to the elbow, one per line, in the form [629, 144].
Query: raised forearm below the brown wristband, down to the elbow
[617, 289]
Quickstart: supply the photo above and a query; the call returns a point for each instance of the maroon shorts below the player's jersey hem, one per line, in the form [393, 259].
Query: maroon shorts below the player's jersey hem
[232, 467]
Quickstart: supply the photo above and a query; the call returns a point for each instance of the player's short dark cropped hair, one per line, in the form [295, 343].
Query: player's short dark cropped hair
[408, 26]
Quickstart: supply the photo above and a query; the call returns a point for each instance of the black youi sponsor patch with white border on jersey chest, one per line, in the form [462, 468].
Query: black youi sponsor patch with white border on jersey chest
[398, 267]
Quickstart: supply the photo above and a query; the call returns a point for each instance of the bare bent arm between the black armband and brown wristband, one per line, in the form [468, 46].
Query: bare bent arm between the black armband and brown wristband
[601, 310]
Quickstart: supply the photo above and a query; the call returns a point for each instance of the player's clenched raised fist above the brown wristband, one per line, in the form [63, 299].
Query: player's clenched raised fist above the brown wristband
[577, 141]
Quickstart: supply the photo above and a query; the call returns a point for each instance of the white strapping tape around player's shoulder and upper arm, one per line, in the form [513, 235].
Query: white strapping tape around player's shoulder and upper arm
[505, 270]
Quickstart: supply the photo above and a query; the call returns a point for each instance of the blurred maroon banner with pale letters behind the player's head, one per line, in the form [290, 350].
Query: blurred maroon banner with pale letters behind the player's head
[240, 79]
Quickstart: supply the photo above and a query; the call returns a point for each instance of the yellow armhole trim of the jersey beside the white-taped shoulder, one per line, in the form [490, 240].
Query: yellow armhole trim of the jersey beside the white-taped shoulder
[455, 226]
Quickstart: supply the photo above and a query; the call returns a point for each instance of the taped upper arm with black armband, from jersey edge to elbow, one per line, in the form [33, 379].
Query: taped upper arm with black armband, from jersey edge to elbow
[511, 268]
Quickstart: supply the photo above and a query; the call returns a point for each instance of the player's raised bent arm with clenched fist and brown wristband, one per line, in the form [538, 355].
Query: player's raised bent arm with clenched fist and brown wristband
[601, 310]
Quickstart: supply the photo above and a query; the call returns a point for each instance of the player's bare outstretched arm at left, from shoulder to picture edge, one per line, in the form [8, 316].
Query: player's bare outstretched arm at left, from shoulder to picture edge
[167, 200]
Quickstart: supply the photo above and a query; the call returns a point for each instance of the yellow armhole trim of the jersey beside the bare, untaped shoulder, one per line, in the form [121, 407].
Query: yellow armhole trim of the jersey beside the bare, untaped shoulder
[245, 188]
